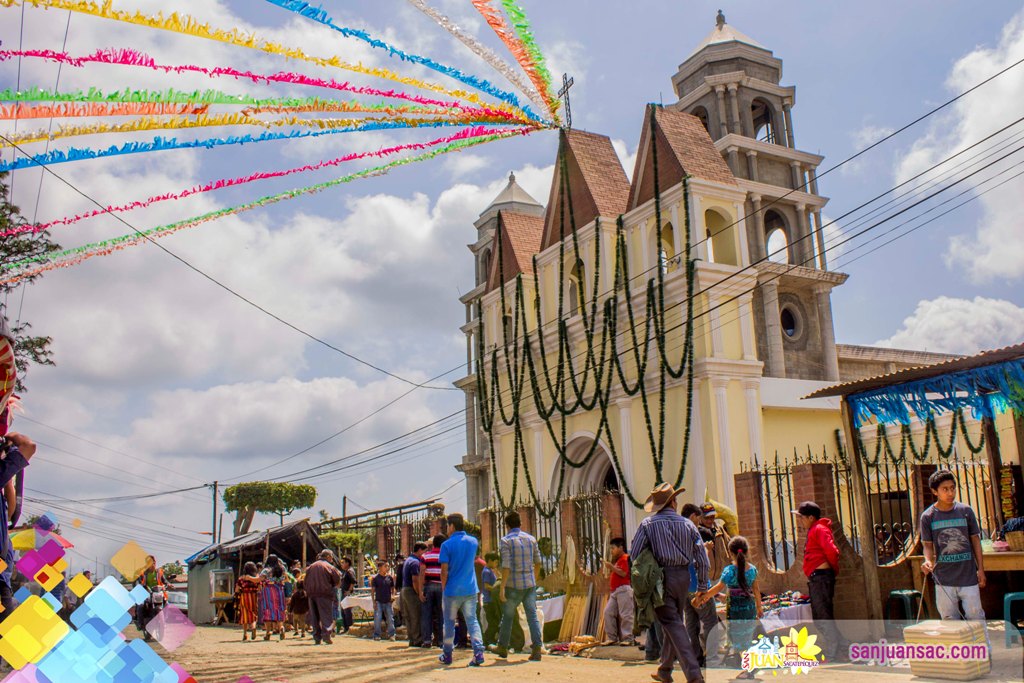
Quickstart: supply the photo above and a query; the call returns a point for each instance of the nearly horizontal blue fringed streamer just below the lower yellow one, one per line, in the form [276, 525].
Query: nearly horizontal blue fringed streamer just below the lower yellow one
[161, 144]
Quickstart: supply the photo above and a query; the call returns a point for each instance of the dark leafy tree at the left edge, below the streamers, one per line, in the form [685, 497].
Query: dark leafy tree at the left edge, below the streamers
[28, 350]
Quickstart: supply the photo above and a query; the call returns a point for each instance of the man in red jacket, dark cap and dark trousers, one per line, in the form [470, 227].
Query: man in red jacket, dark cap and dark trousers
[822, 568]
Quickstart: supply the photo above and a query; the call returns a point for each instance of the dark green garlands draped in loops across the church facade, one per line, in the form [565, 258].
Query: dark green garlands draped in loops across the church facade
[525, 357]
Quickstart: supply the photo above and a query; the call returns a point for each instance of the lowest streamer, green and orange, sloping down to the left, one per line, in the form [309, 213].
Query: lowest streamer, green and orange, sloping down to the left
[66, 259]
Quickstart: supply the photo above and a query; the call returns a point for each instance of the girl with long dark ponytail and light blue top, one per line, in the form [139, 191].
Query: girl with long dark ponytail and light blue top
[744, 607]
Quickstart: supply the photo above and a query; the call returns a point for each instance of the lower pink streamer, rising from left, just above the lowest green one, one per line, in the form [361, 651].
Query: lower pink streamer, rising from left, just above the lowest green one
[231, 183]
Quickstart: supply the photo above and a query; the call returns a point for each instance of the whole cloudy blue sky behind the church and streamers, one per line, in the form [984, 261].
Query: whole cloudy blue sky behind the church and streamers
[165, 380]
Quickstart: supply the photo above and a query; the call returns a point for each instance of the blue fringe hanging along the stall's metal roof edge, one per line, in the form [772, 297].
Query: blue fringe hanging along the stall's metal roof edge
[985, 391]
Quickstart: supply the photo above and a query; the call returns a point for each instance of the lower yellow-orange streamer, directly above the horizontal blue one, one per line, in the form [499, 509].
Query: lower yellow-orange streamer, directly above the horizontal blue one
[236, 119]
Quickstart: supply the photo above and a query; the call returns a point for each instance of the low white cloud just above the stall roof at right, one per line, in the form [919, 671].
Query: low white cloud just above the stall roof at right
[960, 326]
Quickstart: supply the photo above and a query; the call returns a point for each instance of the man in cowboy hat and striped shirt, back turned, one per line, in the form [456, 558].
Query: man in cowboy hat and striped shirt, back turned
[676, 544]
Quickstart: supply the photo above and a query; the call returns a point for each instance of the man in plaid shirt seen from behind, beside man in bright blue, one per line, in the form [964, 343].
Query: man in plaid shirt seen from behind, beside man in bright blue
[521, 562]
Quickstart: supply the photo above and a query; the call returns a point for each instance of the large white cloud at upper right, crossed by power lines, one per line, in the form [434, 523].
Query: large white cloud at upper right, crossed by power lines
[994, 250]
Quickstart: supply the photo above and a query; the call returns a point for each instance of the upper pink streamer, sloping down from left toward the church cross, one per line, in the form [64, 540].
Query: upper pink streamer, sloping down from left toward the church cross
[131, 58]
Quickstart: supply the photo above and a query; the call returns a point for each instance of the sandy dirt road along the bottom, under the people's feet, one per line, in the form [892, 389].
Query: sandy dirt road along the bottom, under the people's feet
[219, 656]
